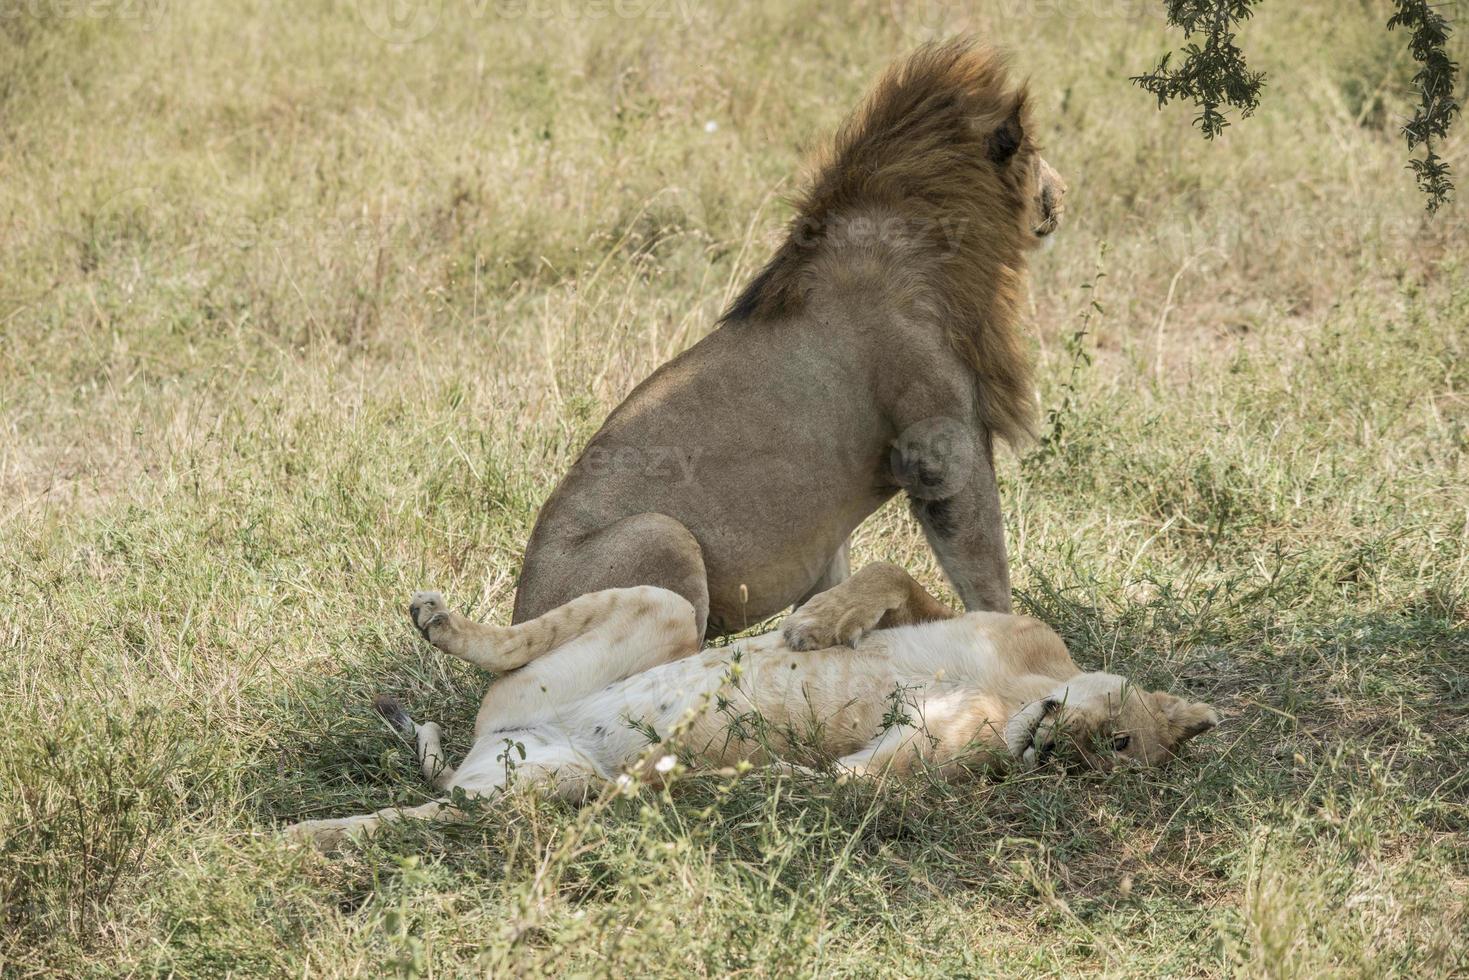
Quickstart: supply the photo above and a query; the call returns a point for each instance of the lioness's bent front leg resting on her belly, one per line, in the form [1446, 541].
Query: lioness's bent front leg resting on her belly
[879, 597]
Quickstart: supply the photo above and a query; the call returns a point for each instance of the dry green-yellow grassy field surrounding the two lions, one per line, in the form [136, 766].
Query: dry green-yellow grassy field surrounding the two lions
[296, 321]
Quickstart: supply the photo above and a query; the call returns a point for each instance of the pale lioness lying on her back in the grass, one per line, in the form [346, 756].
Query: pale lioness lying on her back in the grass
[876, 675]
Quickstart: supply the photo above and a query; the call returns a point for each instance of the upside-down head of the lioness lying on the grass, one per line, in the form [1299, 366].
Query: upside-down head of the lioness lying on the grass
[1102, 721]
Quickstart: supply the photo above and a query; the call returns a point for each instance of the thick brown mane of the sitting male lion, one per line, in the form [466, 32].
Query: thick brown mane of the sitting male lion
[944, 142]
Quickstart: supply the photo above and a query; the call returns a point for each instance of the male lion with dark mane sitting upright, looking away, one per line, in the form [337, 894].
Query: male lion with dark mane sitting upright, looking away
[876, 353]
